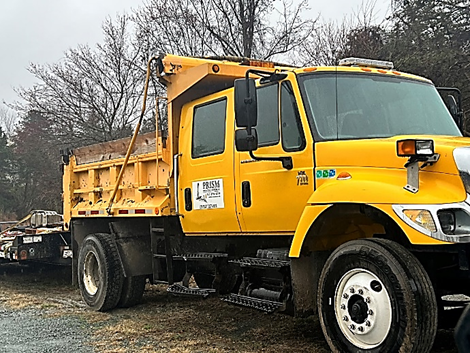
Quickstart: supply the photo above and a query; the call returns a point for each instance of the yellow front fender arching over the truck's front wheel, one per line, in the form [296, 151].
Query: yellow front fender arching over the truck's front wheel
[381, 189]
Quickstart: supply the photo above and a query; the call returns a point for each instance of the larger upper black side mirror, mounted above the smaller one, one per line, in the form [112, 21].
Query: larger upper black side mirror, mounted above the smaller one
[246, 105]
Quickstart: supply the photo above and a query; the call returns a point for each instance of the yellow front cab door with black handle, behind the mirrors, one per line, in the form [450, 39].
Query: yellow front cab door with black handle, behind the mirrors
[270, 198]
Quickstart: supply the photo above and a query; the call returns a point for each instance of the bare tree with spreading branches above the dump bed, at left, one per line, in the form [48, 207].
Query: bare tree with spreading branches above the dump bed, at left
[92, 95]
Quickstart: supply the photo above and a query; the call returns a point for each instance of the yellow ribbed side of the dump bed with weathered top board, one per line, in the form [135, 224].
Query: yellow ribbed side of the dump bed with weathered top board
[90, 178]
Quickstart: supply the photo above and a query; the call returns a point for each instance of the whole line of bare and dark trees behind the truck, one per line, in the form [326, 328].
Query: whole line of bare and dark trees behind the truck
[94, 94]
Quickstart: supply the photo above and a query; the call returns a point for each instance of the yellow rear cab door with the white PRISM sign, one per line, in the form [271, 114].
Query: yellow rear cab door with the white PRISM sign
[206, 173]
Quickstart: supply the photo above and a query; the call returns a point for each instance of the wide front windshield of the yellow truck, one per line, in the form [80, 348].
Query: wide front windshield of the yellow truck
[350, 106]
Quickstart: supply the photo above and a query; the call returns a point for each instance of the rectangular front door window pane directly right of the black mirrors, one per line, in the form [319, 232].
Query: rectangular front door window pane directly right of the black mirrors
[268, 115]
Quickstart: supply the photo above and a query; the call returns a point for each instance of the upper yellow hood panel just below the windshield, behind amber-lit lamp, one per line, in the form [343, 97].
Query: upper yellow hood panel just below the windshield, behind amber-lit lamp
[382, 153]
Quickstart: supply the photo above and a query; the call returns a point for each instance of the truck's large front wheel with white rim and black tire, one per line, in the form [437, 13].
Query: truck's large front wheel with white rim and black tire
[375, 296]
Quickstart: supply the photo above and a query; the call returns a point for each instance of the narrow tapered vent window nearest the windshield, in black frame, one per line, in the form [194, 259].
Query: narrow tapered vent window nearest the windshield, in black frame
[291, 127]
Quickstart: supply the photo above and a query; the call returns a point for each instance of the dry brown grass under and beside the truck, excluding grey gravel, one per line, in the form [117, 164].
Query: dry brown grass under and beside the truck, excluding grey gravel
[164, 323]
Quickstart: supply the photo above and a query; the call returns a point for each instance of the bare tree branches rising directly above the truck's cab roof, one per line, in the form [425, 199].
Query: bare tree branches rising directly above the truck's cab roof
[223, 27]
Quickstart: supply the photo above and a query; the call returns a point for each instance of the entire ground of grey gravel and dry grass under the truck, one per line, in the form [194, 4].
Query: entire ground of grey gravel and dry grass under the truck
[41, 312]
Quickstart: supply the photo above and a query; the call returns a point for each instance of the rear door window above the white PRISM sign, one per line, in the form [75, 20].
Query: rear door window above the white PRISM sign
[209, 129]
